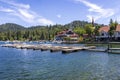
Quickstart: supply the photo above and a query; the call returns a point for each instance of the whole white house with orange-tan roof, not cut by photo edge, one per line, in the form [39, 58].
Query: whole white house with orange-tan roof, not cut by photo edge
[103, 33]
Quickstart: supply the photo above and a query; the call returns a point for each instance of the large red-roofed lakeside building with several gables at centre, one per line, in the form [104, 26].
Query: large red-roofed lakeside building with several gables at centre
[66, 35]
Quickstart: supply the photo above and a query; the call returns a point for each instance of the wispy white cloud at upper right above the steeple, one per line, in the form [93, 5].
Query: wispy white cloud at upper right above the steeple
[97, 11]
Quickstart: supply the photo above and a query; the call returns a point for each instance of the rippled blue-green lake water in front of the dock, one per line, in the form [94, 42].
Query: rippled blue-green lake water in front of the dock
[17, 64]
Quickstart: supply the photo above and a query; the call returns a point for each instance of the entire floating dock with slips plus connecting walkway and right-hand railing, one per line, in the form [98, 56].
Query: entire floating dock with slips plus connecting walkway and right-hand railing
[63, 49]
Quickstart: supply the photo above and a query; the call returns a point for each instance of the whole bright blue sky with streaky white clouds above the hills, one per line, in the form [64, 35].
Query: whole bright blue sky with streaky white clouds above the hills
[46, 12]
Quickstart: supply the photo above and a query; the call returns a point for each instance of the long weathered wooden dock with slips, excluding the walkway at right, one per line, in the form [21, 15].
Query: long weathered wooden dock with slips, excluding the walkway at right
[63, 49]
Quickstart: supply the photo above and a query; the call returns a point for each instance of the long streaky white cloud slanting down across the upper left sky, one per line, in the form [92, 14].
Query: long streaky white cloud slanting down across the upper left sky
[24, 12]
